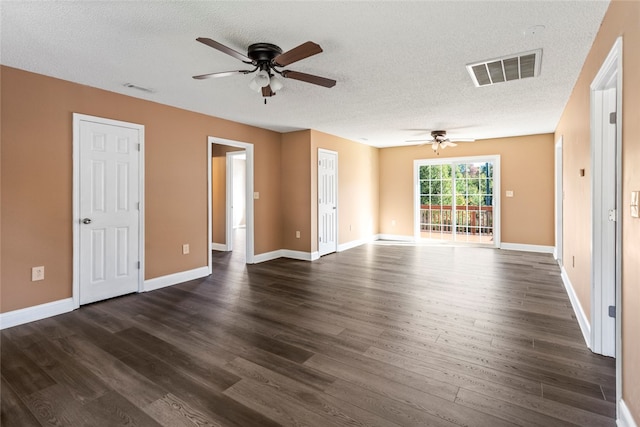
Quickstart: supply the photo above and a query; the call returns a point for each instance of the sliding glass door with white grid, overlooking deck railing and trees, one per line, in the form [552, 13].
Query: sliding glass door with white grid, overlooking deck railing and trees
[456, 200]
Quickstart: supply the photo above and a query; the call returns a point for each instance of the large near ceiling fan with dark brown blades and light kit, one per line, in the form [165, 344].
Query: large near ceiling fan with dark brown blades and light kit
[267, 60]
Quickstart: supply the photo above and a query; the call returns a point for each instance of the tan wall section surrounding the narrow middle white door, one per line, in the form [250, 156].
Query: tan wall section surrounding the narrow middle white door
[358, 188]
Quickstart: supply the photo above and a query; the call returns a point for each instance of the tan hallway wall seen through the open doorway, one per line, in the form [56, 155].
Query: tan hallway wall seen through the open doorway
[219, 191]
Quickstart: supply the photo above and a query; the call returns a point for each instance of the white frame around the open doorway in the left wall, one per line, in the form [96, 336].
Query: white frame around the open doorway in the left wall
[248, 147]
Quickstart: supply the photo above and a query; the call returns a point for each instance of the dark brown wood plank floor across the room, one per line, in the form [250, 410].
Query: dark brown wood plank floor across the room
[380, 335]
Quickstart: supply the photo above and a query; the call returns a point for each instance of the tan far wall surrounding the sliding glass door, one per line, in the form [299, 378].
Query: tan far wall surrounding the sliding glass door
[526, 165]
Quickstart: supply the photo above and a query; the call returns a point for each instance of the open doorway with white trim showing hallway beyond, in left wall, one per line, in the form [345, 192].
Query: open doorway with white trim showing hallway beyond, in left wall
[228, 158]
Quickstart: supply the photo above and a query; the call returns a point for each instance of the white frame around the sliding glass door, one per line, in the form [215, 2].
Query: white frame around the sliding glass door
[494, 158]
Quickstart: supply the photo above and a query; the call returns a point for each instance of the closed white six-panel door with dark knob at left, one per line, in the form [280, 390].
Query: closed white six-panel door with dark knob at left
[109, 215]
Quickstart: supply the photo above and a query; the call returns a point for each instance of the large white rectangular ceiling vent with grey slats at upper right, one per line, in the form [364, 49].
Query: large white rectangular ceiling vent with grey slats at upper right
[513, 67]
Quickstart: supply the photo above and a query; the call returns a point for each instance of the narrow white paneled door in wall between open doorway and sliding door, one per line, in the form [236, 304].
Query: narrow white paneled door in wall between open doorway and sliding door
[327, 202]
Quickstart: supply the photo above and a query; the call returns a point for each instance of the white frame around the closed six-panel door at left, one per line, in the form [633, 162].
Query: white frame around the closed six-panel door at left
[77, 118]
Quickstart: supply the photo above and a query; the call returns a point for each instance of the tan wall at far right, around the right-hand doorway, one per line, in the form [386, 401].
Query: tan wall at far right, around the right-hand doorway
[622, 19]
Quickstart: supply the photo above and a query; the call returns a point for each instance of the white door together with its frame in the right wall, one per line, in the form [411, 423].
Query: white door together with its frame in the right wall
[606, 161]
